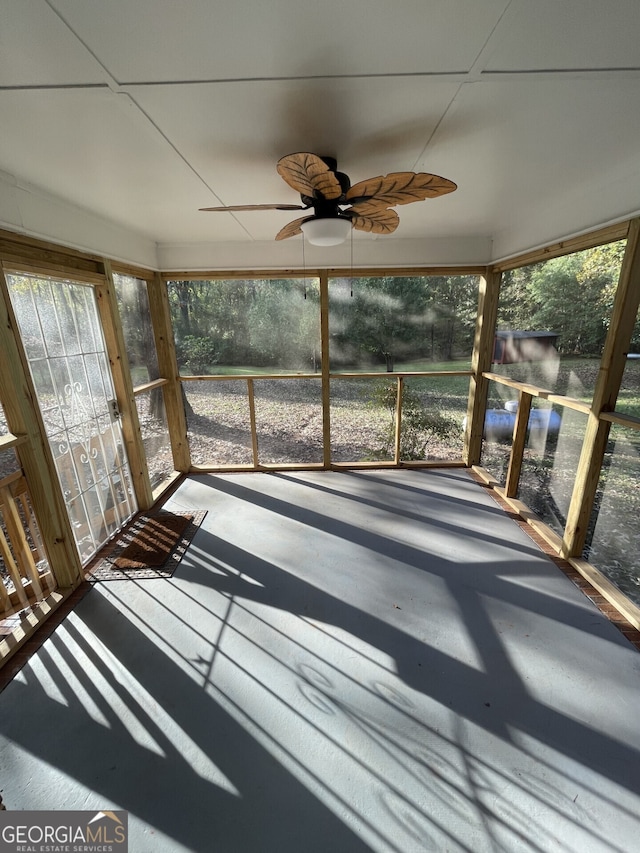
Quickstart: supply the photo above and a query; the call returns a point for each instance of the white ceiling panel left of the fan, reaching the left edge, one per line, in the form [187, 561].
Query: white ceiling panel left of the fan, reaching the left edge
[93, 149]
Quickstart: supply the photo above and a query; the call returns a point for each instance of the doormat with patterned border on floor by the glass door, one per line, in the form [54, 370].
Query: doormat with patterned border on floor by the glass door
[150, 547]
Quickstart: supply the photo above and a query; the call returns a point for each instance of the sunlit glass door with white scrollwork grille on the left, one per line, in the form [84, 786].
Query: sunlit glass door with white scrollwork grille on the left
[63, 341]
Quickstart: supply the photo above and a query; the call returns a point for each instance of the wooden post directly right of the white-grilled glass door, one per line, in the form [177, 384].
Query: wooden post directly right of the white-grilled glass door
[117, 352]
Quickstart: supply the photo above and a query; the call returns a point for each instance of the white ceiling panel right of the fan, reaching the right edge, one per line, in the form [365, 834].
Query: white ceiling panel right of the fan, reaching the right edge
[522, 150]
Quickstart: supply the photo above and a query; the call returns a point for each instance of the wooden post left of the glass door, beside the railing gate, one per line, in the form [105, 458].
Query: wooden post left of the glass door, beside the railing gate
[23, 418]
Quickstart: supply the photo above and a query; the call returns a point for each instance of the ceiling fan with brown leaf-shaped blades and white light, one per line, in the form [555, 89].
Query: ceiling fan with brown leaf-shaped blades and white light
[337, 206]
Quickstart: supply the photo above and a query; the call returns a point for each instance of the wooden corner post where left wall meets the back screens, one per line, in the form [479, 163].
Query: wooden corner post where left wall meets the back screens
[168, 366]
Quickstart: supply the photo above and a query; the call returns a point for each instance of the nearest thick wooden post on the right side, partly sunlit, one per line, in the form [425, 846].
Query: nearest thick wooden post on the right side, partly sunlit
[612, 364]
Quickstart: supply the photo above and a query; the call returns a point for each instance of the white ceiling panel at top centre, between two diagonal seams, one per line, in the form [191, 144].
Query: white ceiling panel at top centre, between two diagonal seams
[163, 40]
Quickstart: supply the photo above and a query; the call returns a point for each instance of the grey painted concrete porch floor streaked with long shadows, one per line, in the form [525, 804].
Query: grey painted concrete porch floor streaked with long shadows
[343, 662]
